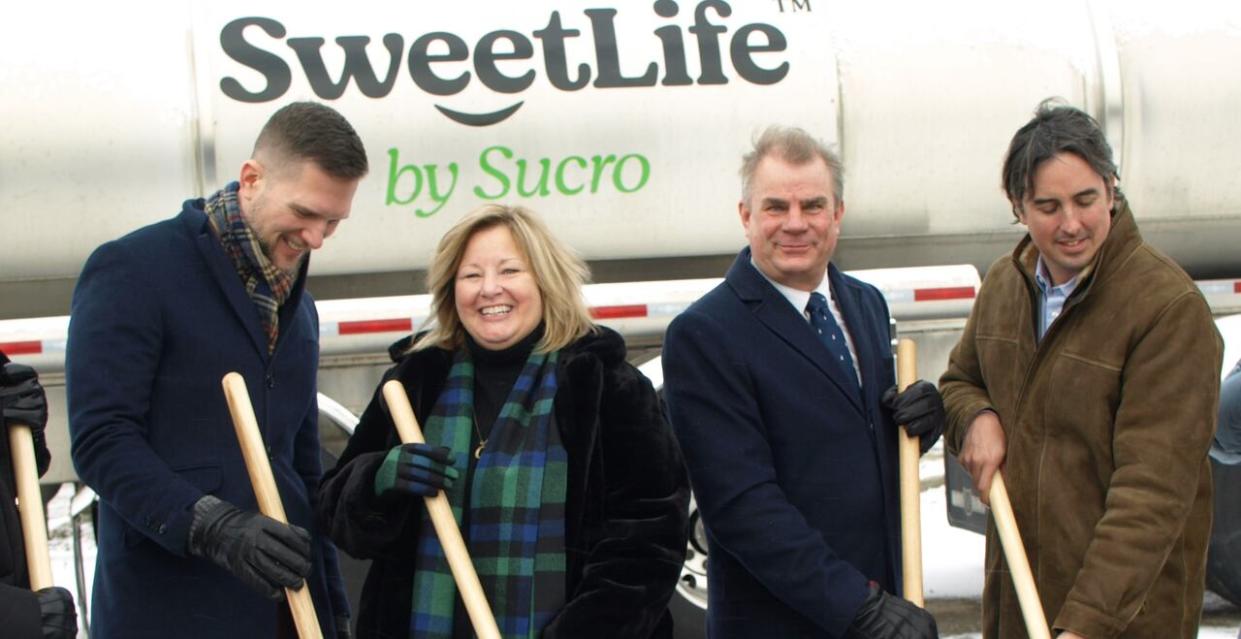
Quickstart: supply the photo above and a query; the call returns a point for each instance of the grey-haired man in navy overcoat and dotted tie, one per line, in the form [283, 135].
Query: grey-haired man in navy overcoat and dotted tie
[780, 384]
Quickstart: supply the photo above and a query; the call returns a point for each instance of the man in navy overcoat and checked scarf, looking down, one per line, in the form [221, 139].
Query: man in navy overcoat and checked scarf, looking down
[158, 318]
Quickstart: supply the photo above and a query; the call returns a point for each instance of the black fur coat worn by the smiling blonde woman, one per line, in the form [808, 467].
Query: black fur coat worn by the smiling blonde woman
[627, 509]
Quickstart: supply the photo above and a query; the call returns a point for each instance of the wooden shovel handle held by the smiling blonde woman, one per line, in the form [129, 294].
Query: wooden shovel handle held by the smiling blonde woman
[446, 525]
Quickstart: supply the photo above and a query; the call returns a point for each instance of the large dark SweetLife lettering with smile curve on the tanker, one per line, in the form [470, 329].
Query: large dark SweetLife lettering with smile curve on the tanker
[751, 53]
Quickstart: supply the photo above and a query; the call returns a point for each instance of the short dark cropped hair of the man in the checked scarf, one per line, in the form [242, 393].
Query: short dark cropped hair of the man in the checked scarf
[310, 131]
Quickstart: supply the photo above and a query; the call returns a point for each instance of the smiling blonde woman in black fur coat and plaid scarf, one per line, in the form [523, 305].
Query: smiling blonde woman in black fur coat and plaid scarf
[567, 481]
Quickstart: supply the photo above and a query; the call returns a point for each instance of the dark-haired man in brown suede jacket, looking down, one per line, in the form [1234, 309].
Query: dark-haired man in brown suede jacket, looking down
[1089, 373]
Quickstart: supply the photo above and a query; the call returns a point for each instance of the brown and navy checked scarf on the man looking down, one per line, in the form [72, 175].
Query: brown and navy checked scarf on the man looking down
[266, 285]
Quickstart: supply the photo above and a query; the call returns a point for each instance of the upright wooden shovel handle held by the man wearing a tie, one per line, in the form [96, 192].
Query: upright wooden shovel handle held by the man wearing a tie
[912, 485]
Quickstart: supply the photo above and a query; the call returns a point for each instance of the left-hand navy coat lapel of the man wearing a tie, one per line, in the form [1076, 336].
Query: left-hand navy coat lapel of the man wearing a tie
[782, 319]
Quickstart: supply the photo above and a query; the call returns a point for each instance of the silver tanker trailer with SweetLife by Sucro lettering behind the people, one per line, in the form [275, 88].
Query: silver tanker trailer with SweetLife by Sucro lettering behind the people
[622, 125]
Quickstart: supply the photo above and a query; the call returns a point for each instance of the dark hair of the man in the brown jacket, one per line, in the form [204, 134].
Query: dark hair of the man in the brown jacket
[1057, 128]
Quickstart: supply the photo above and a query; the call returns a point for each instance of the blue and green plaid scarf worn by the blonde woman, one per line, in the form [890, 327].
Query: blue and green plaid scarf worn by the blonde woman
[517, 532]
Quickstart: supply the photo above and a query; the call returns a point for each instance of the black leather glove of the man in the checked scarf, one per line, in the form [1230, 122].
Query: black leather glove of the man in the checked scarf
[262, 553]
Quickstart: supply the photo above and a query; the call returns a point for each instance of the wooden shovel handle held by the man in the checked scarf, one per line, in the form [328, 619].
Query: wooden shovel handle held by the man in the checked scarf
[260, 470]
